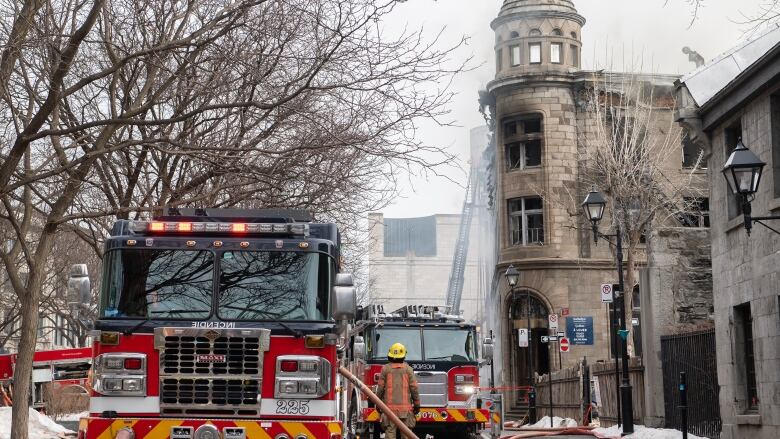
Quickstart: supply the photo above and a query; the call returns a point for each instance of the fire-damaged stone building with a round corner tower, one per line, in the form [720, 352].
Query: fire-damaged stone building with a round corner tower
[540, 122]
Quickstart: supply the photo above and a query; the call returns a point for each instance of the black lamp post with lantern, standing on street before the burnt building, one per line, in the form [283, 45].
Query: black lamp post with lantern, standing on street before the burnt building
[594, 205]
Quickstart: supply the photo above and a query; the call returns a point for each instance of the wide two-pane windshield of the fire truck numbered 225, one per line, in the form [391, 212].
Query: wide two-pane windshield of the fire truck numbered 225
[252, 285]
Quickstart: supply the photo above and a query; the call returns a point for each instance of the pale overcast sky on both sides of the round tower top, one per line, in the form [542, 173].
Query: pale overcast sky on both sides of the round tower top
[646, 29]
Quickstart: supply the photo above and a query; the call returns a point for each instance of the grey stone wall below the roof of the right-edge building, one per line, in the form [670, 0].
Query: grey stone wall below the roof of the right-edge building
[746, 273]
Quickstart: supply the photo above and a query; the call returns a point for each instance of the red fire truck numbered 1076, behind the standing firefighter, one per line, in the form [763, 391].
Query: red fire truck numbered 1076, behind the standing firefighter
[441, 349]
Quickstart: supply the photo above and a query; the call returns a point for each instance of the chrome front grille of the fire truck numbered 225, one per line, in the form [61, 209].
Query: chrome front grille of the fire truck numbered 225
[211, 372]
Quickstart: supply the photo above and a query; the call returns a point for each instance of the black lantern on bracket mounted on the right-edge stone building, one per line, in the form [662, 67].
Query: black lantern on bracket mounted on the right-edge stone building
[743, 175]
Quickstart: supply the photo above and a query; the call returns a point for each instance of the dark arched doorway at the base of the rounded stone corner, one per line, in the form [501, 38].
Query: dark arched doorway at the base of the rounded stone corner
[520, 303]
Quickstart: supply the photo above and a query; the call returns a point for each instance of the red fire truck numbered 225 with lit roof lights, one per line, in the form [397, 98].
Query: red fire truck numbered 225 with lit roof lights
[220, 323]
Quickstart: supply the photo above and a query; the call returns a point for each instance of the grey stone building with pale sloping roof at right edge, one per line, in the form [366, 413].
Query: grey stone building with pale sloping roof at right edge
[737, 96]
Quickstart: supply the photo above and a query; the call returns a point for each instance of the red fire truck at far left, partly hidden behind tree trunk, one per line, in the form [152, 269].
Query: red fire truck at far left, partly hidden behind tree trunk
[57, 369]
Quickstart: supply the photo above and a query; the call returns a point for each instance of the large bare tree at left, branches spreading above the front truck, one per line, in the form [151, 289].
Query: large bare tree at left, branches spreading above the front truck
[115, 109]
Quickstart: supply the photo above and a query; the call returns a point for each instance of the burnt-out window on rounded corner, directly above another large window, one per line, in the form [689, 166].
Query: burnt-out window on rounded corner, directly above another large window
[523, 142]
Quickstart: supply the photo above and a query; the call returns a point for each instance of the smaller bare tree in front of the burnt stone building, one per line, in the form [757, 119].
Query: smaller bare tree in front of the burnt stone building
[631, 150]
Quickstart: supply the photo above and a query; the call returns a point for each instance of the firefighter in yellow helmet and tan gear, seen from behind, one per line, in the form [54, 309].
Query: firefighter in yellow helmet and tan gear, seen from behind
[398, 390]
